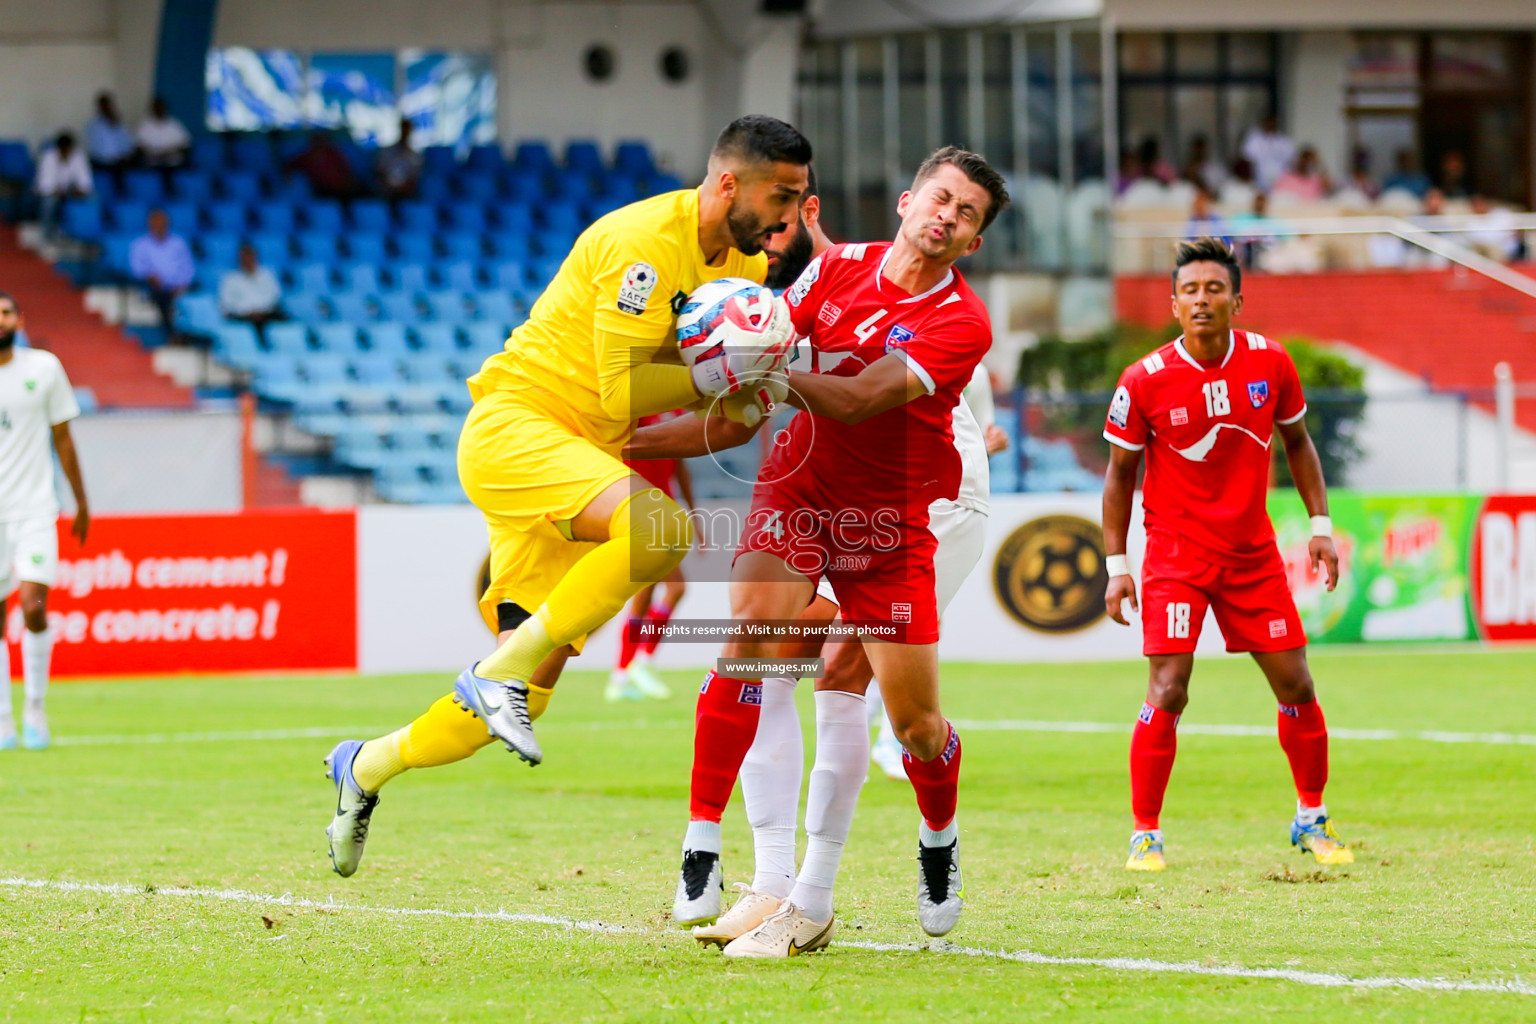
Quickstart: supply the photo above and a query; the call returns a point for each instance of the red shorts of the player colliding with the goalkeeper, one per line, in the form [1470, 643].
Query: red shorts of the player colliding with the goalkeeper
[879, 563]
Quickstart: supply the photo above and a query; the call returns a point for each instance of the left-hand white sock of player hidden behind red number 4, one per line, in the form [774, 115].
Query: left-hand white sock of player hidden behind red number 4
[772, 788]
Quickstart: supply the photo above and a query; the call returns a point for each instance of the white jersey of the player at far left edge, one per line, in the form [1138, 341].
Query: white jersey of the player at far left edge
[35, 397]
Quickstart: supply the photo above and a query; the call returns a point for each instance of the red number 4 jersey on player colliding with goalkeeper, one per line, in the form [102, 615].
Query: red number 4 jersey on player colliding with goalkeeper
[904, 458]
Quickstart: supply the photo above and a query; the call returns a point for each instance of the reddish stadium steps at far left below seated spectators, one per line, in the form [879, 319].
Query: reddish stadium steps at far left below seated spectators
[96, 355]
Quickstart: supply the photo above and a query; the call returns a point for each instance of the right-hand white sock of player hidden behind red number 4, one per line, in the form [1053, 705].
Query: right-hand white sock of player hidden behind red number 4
[842, 761]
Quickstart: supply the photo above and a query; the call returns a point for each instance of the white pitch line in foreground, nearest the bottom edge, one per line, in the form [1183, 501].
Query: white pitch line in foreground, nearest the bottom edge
[1021, 957]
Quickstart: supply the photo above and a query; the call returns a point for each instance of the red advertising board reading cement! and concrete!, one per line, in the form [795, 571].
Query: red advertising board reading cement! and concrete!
[205, 593]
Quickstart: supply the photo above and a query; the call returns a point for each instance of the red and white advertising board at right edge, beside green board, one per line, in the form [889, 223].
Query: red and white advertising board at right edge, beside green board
[1503, 569]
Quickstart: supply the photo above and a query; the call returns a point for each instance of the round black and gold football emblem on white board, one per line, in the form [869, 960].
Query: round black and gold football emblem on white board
[1050, 575]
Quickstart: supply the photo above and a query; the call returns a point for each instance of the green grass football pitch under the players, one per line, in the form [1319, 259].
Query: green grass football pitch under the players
[1443, 887]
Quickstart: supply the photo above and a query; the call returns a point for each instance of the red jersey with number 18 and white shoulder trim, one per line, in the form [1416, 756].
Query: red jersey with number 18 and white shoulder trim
[1208, 435]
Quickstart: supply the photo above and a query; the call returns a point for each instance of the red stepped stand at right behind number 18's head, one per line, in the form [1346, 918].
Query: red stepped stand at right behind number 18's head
[1445, 326]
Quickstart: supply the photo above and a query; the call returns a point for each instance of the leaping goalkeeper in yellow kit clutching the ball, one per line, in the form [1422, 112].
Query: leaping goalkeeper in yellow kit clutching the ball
[574, 535]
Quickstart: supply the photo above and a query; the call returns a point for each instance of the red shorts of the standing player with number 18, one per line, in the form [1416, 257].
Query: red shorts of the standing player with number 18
[1254, 606]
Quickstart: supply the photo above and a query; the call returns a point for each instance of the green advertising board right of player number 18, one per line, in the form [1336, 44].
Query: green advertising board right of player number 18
[1403, 567]
